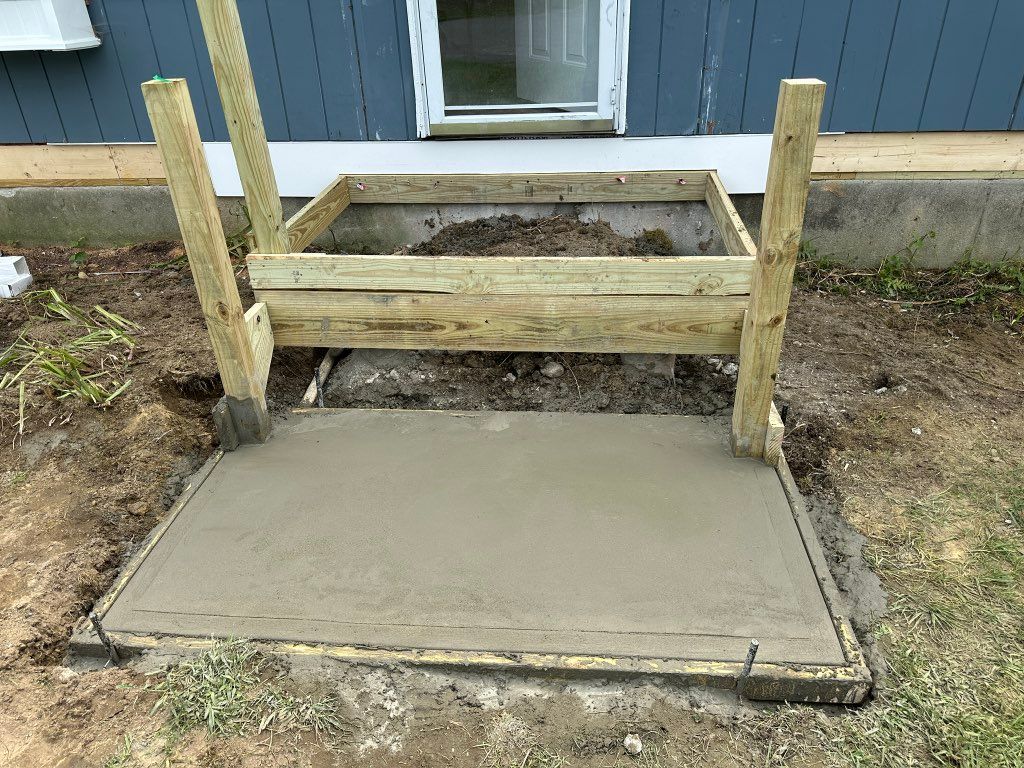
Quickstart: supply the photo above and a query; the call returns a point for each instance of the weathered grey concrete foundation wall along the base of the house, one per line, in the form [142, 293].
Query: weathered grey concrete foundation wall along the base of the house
[859, 223]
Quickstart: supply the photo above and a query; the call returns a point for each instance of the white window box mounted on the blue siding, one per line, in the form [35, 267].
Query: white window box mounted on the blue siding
[46, 25]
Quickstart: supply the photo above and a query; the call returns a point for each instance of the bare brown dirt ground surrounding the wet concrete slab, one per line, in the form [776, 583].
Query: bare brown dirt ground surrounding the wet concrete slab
[905, 429]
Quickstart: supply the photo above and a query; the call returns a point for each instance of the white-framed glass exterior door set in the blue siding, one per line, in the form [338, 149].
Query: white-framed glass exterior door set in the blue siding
[494, 67]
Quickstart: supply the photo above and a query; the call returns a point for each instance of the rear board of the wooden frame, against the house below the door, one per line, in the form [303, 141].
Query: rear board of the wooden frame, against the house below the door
[537, 188]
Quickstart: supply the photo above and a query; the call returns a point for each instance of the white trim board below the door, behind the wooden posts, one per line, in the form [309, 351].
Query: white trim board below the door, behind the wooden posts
[305, 168]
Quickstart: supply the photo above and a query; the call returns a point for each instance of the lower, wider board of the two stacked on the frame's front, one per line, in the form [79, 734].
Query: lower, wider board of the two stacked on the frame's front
[687, 325]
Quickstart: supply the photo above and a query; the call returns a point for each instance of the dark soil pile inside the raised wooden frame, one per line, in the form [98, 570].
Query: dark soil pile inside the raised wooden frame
[553, 236]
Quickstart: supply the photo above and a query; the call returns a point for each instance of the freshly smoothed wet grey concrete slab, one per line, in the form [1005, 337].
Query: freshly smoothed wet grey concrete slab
[612, 535]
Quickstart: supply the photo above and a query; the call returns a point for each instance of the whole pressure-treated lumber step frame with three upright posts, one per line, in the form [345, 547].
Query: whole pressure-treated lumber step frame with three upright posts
[703, 305]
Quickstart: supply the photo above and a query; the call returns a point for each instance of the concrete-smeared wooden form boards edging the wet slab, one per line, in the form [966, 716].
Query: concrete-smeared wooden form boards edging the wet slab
[845, 685]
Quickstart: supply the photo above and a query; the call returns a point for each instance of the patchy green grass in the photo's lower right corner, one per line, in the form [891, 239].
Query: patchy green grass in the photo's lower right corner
[954, 641]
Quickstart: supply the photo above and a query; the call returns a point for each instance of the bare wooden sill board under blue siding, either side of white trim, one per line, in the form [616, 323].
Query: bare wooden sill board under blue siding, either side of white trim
[910, 156]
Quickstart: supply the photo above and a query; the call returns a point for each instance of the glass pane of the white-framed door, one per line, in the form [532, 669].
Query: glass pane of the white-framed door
[520, 57]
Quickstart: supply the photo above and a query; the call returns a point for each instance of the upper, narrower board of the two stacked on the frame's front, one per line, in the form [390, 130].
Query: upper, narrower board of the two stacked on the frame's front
[676, 276]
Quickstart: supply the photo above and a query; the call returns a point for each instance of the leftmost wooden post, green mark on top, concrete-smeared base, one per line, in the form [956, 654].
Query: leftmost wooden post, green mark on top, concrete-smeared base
[196, 204]
